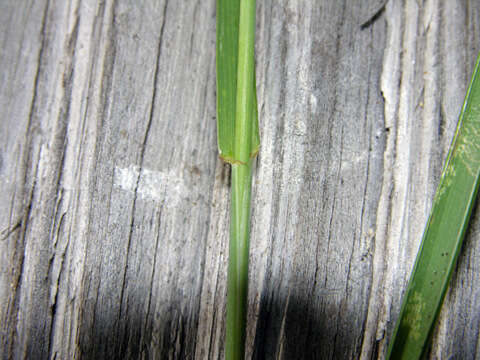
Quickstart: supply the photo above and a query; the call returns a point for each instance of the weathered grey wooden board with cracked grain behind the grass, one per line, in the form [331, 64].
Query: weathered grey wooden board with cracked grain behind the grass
[114, 204]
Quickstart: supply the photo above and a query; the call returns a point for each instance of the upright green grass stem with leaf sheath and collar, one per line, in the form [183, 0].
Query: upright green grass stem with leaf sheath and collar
[238, 143]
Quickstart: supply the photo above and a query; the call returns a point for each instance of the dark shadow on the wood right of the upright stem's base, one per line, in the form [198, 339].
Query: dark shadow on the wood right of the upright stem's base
[291, 328]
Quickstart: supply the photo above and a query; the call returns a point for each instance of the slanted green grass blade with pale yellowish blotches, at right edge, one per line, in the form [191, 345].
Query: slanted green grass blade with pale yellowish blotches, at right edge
[444, 233]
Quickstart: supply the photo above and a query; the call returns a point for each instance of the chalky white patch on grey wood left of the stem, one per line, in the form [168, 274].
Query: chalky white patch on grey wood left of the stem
[152, 185]
